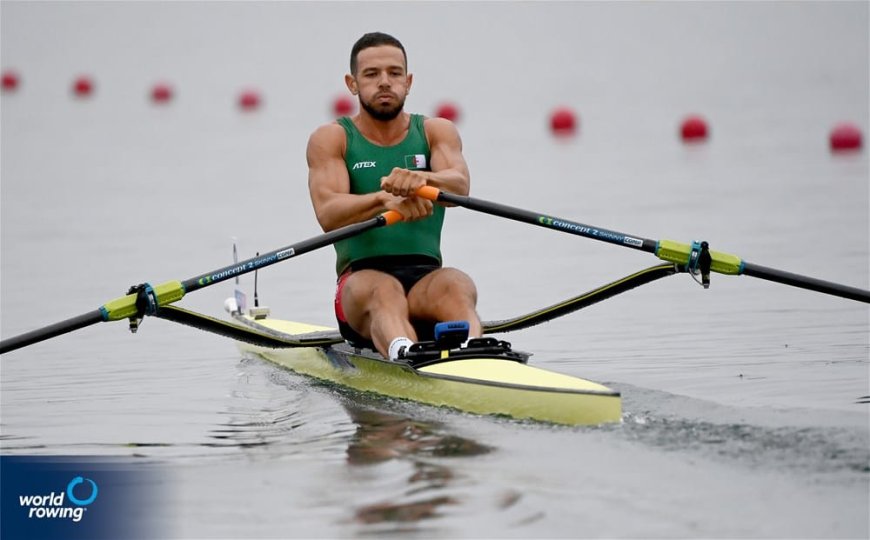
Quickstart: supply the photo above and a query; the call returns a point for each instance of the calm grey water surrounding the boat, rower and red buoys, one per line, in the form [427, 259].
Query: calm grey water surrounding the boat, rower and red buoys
[741, 415]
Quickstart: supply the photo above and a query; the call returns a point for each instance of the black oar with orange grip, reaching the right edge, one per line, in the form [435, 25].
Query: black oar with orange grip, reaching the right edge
[694, 256]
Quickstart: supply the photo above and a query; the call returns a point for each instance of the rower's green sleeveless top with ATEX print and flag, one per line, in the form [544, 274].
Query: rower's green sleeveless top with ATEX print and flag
[366, 164]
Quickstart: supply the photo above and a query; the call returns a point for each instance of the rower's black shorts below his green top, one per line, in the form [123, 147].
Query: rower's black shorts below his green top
[408, 269]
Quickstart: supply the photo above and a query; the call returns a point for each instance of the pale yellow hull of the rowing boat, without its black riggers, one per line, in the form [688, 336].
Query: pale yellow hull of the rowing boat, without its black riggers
[485, 378]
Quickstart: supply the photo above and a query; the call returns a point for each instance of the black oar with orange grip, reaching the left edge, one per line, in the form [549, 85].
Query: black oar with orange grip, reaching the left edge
[145, 299]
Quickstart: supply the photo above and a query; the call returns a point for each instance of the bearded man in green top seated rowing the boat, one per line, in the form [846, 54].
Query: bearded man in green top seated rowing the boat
[391, 277]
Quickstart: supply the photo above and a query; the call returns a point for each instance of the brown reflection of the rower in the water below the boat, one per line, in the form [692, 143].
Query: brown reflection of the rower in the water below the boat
[381, 437]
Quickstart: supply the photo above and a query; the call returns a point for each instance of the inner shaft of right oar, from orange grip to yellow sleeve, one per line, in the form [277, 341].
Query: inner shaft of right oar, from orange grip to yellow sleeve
[541, 220]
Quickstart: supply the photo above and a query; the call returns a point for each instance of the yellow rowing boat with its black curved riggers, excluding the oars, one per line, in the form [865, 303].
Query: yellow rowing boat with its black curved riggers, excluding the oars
[488, 377]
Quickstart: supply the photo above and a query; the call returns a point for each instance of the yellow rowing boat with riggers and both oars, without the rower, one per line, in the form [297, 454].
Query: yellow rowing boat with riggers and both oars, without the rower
[486, 377]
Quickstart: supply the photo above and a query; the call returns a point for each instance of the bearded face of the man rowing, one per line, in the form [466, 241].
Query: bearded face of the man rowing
[381, 81]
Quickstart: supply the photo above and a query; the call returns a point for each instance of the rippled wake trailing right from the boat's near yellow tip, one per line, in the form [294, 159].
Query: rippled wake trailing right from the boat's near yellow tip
[796, 441]
